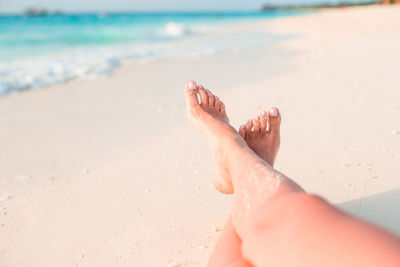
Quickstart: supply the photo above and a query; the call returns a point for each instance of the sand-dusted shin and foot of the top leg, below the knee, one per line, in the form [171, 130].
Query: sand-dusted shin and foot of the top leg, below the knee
[253, 180]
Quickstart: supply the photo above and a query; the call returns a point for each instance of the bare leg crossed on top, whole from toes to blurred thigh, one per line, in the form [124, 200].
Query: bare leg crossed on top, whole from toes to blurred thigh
[273, 215]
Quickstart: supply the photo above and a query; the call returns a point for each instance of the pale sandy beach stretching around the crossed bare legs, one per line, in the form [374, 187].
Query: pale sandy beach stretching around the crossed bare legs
[108, 172]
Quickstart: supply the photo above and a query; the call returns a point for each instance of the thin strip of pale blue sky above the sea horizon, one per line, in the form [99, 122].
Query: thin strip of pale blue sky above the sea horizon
[12, 6]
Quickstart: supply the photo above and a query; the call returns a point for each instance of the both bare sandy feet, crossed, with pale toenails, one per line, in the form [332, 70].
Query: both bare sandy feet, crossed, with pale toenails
[207, 113]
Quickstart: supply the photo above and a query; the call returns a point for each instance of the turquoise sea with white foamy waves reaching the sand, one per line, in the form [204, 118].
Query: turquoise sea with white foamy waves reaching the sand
[39, 51]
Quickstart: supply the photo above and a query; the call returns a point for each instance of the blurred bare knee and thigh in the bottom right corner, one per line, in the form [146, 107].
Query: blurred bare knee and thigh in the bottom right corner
[305, 230]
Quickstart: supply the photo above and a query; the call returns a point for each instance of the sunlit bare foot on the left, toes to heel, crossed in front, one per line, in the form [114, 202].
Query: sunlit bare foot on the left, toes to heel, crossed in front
[209, 117]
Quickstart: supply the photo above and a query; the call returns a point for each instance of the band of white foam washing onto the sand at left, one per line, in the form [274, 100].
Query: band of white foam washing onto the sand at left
[45, 70]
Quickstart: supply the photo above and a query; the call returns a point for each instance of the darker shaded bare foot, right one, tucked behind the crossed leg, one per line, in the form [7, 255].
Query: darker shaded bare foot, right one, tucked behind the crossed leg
[263, 141]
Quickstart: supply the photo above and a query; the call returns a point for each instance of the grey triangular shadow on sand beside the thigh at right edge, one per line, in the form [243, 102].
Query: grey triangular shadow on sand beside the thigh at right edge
[382, 209]
